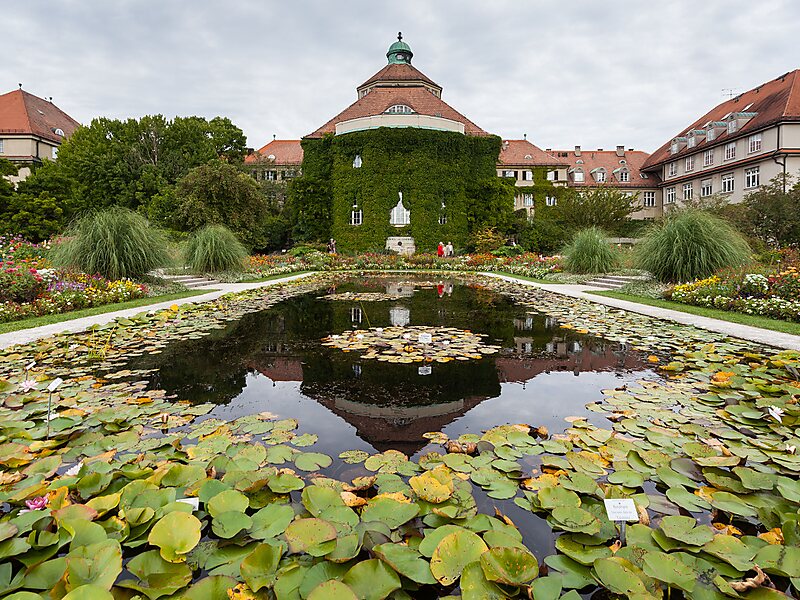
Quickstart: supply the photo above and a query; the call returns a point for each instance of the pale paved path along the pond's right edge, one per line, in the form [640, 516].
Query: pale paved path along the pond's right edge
[754, 334]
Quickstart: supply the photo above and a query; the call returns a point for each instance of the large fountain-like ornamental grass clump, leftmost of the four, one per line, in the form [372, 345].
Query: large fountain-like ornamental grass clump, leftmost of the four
[116, 243]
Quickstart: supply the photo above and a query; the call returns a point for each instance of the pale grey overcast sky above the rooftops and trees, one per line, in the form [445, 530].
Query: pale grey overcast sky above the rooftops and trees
[570, 72]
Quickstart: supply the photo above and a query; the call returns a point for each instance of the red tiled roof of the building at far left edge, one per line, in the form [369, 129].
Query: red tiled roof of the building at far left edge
[23, 113]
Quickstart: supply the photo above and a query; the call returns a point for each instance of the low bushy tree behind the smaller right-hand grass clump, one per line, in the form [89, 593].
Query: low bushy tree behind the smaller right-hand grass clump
[604, 207]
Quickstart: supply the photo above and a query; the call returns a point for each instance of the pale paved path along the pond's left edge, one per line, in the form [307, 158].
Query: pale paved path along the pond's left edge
[28, 335]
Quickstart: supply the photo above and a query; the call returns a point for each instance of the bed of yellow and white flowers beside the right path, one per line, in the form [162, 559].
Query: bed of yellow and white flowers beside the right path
[775, 295]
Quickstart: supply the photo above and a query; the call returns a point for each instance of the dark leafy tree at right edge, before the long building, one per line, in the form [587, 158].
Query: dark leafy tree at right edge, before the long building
[771, 213]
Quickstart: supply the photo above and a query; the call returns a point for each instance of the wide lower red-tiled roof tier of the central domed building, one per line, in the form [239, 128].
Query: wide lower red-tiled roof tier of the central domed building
[379, 99]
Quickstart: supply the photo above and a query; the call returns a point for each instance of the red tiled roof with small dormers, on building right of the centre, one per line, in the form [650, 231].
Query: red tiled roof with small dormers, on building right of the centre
[608, 160]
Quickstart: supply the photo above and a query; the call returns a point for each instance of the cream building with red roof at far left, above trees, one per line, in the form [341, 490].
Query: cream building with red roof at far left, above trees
[31, 130]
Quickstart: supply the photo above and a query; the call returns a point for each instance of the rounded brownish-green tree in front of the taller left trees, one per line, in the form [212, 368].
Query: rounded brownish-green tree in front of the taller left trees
[218, 192]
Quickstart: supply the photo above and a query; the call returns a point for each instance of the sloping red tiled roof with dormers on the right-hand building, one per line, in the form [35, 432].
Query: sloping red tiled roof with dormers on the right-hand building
[773, 101]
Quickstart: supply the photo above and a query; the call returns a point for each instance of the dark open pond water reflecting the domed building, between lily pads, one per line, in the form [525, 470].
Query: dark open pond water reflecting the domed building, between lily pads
[274, 360]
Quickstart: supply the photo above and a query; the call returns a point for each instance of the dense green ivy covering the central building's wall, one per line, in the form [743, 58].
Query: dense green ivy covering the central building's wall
[429, 167]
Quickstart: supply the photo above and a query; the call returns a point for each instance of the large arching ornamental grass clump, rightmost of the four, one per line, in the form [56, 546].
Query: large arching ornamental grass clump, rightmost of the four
[690, 244]
